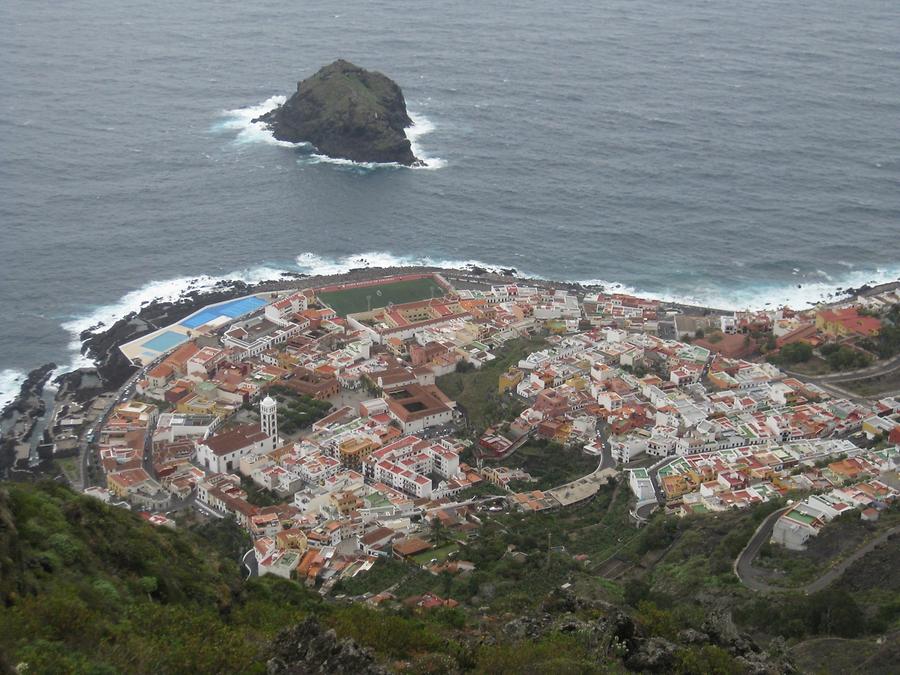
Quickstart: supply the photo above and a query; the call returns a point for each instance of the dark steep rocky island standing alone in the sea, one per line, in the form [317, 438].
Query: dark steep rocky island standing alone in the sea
[347, 112]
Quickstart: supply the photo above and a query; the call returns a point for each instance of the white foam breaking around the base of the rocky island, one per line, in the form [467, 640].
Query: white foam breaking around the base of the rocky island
[240, 120]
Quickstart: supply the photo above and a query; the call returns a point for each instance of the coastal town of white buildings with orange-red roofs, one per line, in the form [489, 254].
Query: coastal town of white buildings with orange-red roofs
[335, 426]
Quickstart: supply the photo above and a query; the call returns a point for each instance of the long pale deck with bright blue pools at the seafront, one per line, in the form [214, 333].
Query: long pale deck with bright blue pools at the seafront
[155, 344]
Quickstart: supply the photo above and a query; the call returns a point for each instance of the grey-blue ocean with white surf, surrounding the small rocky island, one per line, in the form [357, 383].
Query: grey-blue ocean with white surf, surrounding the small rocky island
[734, 153]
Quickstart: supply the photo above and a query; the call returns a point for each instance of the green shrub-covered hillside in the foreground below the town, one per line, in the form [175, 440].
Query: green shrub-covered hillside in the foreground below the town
[90, 588]
